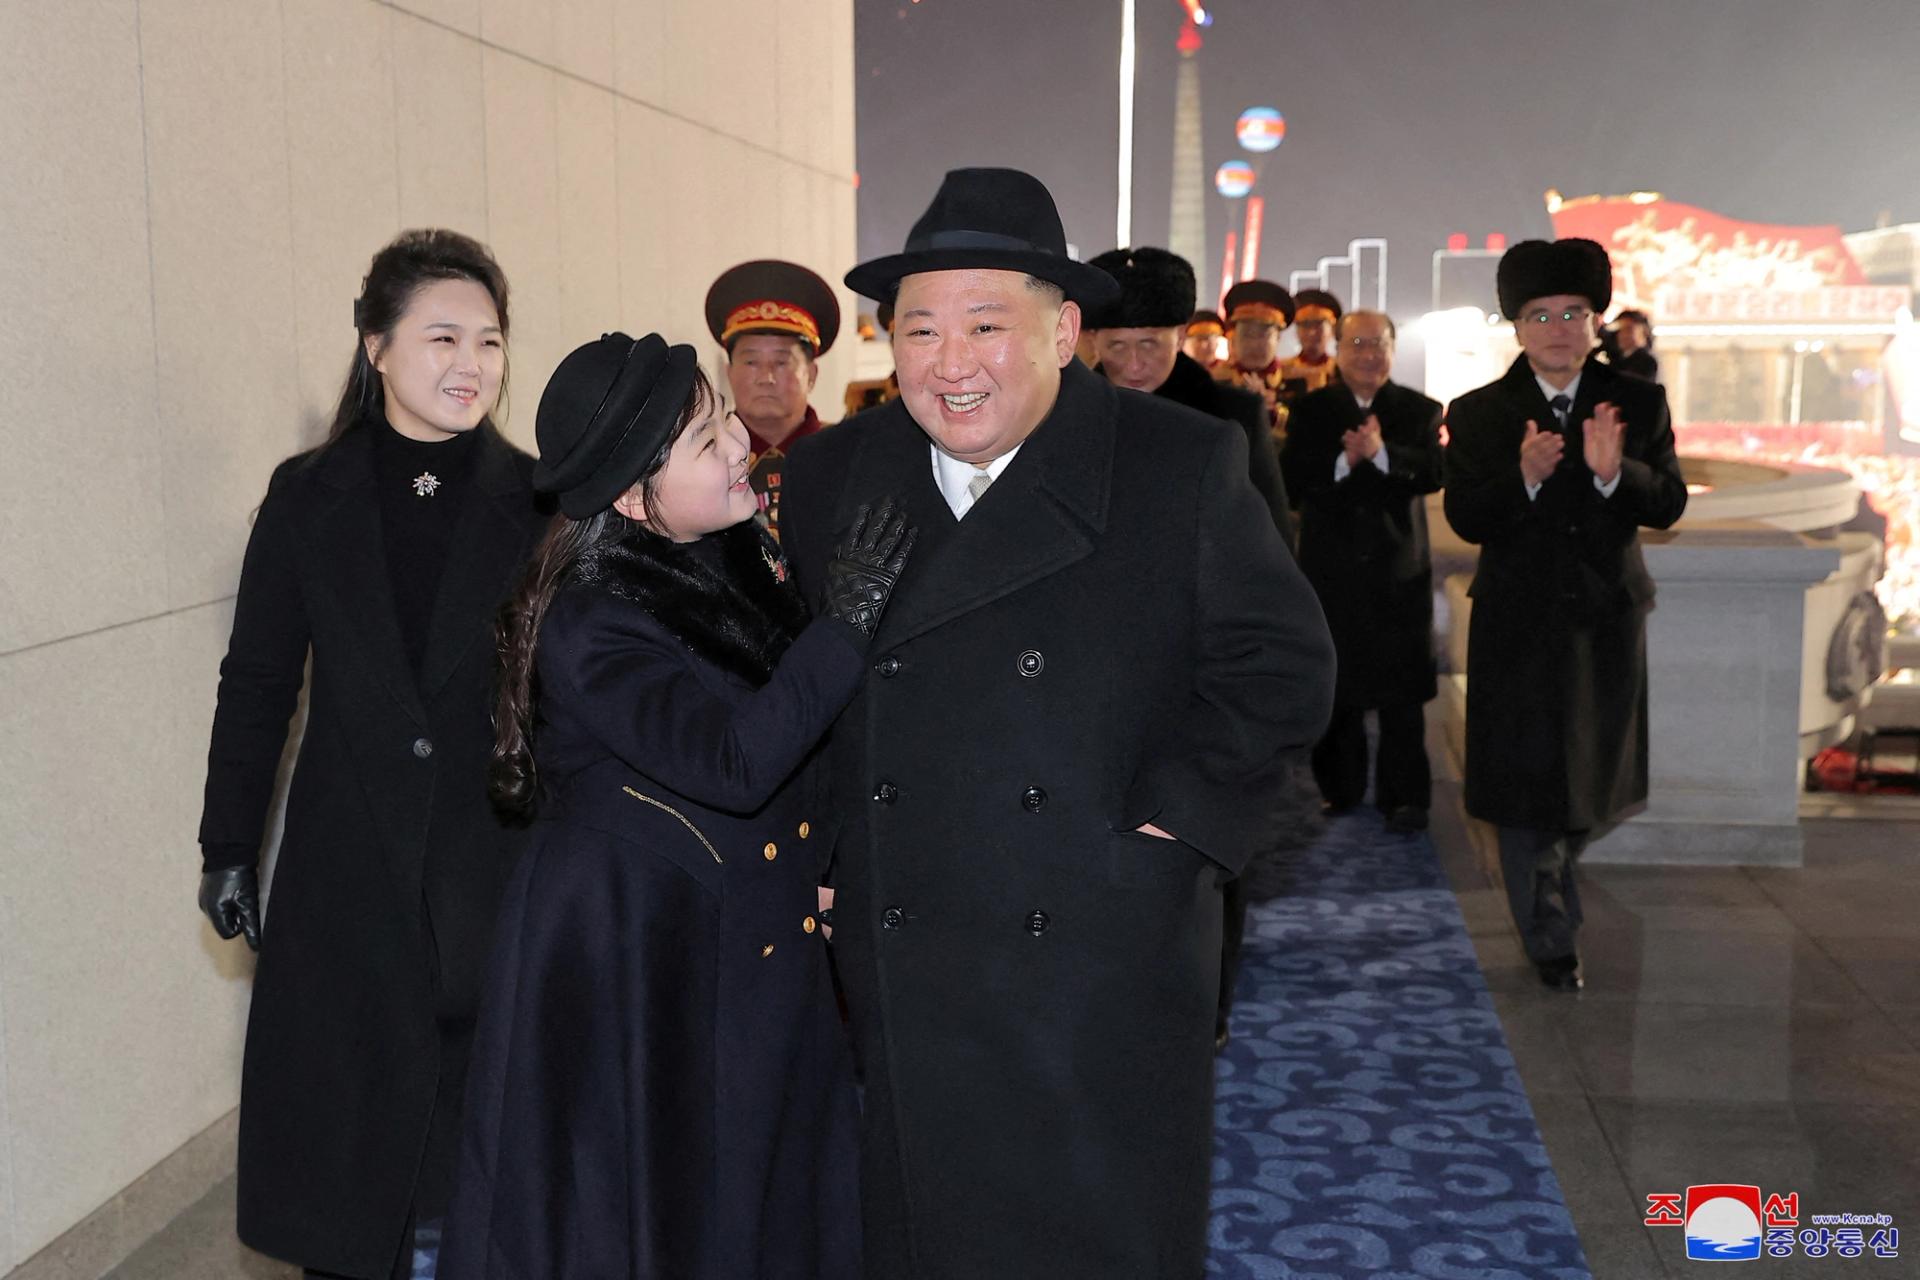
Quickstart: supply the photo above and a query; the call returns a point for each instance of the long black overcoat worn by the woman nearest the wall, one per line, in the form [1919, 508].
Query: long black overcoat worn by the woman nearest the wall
[393, 861]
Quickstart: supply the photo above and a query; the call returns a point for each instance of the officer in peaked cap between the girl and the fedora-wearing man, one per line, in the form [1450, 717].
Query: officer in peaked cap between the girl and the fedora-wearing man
[775, 320]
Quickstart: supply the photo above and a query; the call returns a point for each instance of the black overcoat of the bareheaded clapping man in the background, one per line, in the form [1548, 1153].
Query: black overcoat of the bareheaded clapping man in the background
[1364, 538]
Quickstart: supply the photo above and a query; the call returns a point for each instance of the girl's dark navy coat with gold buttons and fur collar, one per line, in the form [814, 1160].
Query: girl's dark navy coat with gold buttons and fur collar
[661, 1083]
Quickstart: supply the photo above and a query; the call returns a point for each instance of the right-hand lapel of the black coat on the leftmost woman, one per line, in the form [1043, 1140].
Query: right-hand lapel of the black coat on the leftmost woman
[489, 546]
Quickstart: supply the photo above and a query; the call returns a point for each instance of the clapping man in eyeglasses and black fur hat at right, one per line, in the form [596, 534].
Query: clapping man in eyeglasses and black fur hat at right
[1554, 471]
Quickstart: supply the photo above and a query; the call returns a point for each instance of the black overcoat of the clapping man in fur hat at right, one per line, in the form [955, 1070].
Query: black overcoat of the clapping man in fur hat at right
[1556, 648]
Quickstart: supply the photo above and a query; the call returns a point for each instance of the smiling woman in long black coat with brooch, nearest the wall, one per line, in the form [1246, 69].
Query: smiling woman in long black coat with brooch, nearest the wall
[373, 571]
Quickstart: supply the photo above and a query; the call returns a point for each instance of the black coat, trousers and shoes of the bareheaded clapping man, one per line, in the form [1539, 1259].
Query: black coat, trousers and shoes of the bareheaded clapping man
[1364, 548]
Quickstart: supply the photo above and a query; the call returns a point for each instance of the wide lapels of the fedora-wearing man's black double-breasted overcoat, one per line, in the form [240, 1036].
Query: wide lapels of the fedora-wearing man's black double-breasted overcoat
[1042, 515]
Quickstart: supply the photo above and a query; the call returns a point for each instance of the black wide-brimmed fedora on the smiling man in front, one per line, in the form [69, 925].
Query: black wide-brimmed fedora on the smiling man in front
[996, 220]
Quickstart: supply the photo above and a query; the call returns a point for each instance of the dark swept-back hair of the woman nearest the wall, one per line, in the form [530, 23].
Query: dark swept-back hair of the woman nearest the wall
[402, 270]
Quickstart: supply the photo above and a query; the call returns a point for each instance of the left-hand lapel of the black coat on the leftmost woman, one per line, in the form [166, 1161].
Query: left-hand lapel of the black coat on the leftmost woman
[354, 565]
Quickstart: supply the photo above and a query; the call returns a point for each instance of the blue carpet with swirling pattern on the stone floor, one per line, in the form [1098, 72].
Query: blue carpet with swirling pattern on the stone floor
[1370, 1120]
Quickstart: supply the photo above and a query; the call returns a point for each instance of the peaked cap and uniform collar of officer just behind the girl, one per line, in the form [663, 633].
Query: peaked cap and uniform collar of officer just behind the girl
[788, 300]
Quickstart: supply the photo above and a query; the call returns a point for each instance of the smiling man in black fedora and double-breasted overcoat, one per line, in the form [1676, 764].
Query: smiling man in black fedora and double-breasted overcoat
[1074, 728]
